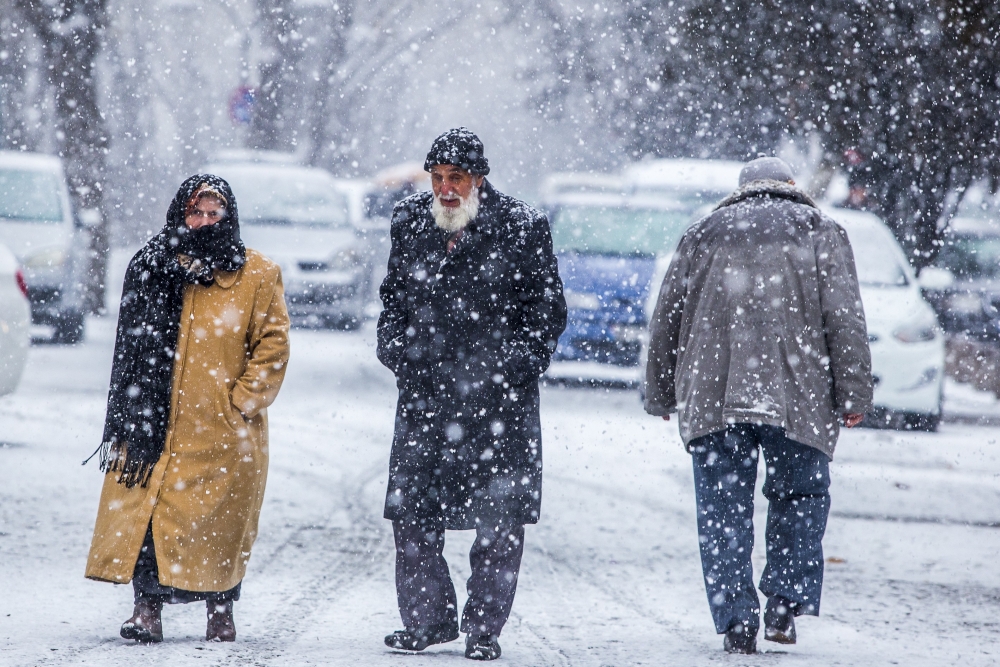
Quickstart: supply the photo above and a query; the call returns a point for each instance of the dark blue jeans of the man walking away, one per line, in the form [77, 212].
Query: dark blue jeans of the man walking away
[797, 489]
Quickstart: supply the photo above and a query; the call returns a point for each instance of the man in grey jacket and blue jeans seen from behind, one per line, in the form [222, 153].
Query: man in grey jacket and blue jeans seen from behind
[758, 342]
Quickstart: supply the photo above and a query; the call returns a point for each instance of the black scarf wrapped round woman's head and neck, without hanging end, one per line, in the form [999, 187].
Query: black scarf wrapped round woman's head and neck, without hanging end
[217, 245]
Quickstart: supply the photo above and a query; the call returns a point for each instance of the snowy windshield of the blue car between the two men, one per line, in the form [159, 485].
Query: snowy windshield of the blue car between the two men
[600, 230]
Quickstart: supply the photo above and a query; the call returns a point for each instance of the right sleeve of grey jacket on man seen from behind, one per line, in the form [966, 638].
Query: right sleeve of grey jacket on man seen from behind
[843, 321]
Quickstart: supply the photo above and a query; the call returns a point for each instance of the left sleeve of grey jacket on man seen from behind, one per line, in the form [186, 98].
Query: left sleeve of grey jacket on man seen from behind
[664, 334]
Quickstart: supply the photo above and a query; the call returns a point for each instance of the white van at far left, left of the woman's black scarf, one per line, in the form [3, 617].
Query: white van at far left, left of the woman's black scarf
[38, 226]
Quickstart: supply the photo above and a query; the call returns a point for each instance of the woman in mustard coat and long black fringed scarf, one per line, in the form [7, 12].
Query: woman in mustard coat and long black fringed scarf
[200, 353]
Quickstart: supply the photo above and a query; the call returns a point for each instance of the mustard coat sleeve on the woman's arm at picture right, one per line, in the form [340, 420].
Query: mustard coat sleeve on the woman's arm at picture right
[267, 348]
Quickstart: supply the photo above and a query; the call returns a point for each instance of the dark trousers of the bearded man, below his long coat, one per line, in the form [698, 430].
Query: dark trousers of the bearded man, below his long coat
[425, 592]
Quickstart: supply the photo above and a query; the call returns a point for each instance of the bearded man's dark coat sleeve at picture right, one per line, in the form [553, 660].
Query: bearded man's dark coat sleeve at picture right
[542, 307]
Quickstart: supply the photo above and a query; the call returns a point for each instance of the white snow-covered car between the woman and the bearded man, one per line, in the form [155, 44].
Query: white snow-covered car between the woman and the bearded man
[301, 218]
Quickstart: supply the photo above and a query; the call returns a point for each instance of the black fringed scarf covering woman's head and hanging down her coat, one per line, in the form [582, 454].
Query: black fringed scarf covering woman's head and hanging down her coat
[135, 428]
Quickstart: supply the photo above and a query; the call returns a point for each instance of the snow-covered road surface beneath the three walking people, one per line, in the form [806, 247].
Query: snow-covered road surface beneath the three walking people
[611, 574]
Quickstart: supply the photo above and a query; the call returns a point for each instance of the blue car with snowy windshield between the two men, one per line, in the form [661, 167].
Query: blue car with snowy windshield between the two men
[613, 251]
